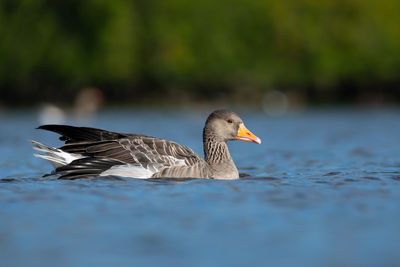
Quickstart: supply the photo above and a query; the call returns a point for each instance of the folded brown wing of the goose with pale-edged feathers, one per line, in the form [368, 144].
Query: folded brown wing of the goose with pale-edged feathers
[137, 154]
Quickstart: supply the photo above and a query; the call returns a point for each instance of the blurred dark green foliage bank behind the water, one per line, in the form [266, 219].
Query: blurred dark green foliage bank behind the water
[147, 51]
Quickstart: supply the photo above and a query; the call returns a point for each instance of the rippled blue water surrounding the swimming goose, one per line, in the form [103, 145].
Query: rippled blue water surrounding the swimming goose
[321, 190]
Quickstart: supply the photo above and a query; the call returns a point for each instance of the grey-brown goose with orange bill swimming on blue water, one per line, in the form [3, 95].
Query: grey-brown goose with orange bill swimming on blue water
[90, 152]
